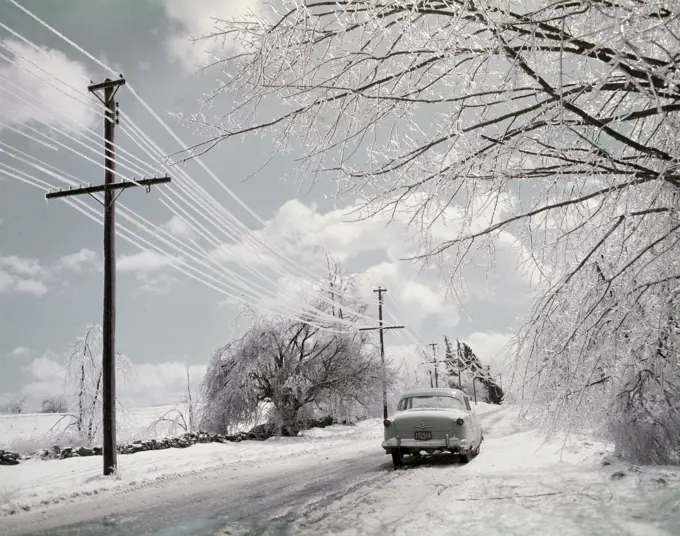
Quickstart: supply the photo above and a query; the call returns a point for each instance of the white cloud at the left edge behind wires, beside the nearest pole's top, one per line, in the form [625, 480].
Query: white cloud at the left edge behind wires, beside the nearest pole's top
[33, 99]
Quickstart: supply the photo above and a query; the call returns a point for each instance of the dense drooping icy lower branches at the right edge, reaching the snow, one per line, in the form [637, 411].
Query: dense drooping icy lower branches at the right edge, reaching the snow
[600, 349]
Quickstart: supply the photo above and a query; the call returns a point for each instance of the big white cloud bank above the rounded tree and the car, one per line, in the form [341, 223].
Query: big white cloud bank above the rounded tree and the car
[372, 249]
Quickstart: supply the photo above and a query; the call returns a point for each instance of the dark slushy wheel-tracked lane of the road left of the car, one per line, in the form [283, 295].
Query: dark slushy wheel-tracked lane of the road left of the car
[252, 499]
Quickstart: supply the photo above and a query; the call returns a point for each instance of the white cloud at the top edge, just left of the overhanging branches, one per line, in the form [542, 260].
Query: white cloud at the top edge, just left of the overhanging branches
[195, 19]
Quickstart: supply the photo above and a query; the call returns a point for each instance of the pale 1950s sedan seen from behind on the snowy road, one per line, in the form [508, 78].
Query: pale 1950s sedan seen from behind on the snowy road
[431, 420]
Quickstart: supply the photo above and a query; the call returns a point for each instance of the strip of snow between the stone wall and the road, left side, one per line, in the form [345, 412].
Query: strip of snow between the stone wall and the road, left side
[37, 482]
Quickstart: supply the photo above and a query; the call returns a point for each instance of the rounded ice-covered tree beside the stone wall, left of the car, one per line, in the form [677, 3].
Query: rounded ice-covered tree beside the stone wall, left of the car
[294, 365]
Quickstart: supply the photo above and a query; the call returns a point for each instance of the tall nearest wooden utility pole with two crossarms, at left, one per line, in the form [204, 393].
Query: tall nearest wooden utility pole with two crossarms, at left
[110, 88]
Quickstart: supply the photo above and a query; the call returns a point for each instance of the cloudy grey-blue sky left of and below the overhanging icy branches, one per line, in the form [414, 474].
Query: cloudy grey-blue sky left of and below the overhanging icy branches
[51, 254]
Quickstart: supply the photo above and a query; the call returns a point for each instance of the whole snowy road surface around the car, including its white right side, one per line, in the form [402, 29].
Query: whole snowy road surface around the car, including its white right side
[514, 487]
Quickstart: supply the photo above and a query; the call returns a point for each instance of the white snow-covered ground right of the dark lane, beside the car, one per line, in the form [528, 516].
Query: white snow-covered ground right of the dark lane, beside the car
[514, 487]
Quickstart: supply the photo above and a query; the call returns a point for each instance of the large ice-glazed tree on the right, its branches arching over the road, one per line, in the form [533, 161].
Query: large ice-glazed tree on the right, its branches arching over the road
[555, 123]
